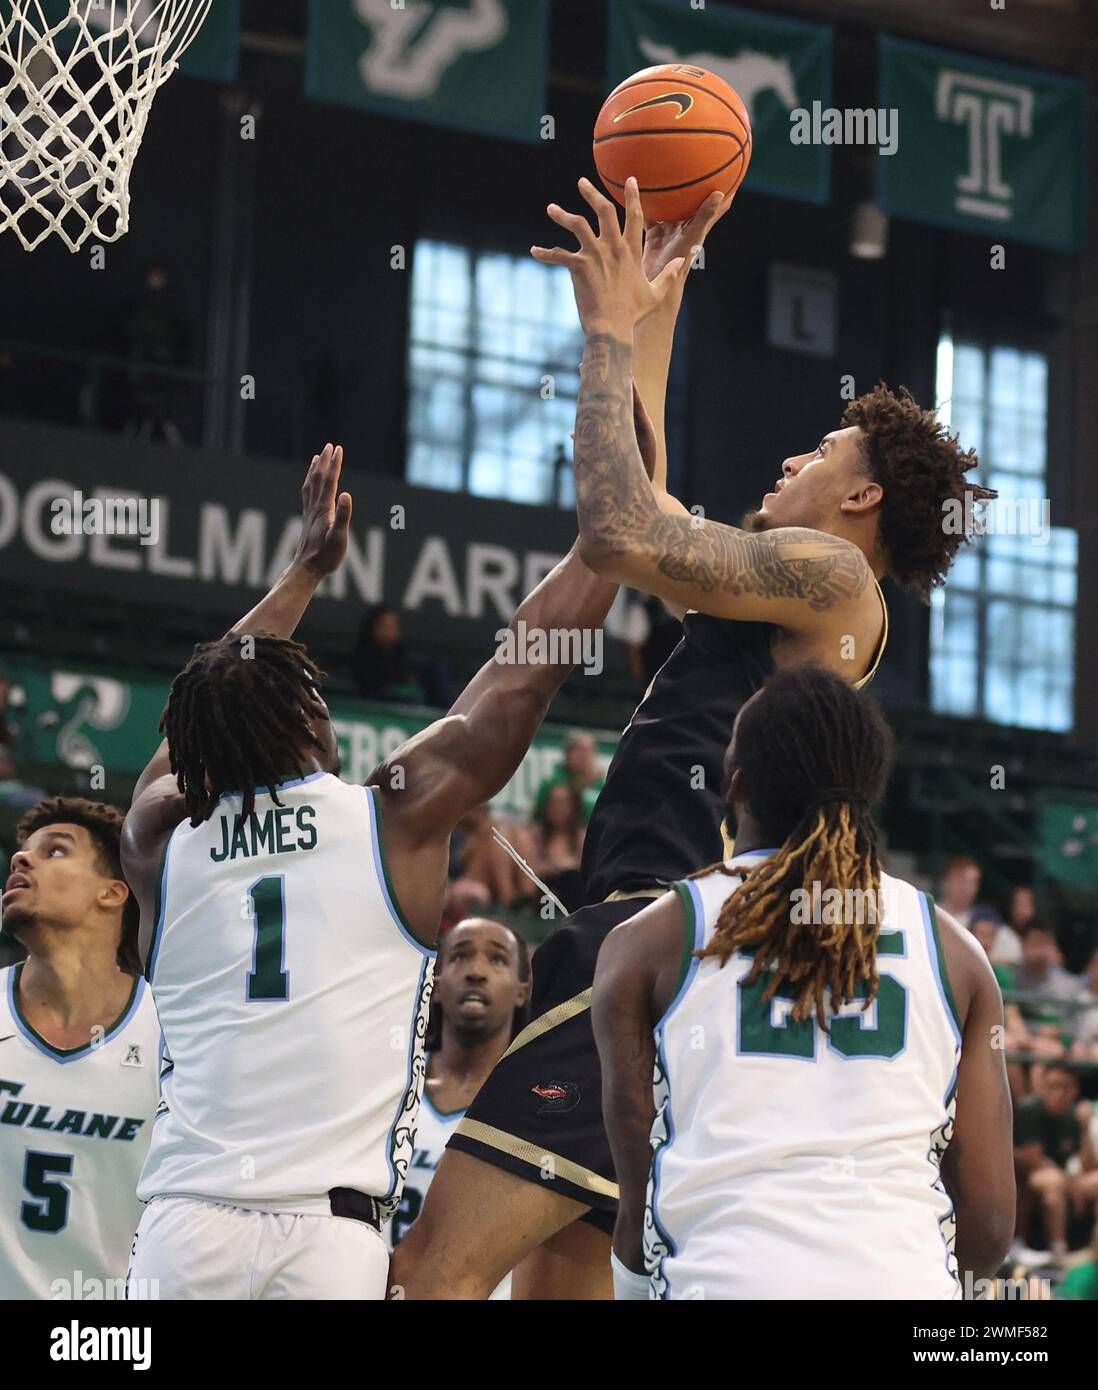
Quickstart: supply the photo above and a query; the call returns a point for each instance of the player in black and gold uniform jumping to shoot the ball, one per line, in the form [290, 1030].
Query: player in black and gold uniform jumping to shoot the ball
[798, 582]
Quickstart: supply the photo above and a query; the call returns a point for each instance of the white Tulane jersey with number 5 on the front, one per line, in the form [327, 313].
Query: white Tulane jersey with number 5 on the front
[74, 1131]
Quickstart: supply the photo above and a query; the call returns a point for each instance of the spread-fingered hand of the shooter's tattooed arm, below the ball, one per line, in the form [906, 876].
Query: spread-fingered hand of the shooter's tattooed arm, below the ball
[612, 291]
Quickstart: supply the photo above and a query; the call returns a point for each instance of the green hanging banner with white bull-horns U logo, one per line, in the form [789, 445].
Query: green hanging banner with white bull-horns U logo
[472, 65]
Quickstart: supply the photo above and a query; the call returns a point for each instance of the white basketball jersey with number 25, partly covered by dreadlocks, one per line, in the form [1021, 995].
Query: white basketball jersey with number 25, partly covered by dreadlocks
[792, 1163]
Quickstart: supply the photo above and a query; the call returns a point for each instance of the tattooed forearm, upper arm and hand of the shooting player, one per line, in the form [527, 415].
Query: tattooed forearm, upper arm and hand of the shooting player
[789, 578]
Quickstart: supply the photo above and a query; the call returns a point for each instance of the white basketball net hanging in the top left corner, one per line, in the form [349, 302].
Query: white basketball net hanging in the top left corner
[77, 84]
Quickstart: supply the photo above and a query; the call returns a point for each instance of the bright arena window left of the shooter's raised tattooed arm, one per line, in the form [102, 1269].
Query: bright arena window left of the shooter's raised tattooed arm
[494, 376]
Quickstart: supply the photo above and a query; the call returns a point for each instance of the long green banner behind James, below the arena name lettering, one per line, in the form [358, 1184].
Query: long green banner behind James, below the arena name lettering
[83, 719]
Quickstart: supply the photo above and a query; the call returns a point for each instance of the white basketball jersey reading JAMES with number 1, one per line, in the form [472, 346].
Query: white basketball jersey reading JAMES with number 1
[294, 1001]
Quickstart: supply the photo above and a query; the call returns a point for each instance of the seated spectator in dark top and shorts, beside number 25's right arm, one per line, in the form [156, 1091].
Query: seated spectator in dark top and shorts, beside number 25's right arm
[1050, 1132]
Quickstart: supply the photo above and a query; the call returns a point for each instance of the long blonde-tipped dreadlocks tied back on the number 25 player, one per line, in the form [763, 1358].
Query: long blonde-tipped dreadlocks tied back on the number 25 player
[812, 755]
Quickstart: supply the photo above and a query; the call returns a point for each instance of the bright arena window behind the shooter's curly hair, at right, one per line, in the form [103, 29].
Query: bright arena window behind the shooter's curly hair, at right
[1003, 632]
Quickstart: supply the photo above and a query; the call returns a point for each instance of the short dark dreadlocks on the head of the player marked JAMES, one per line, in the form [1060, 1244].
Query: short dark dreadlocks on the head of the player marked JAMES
[238, 719]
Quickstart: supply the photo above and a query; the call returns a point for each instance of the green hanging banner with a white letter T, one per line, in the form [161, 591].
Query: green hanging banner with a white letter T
[983, 147]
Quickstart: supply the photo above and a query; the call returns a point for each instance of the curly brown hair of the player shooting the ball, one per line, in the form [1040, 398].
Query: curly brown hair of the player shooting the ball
[922, 469]
